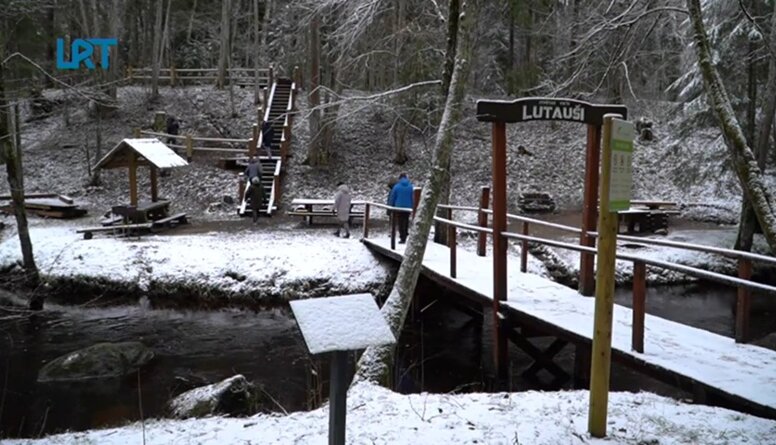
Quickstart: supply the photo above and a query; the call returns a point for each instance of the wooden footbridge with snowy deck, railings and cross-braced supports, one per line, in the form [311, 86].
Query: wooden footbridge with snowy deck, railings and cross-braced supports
[716, 369]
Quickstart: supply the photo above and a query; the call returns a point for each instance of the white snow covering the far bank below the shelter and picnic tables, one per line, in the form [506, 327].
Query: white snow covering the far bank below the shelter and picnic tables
[270, 260]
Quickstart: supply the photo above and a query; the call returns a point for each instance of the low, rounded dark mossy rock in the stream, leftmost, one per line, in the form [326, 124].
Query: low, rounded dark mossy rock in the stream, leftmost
[100, 361]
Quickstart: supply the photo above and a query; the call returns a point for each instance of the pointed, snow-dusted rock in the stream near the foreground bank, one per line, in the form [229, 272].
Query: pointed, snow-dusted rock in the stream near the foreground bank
[234, 396]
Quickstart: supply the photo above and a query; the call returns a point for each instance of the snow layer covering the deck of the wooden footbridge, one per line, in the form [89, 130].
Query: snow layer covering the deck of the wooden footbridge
[714, 360]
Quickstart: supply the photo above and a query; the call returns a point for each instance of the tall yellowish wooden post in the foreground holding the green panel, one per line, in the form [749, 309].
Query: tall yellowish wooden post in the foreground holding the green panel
[601, 356]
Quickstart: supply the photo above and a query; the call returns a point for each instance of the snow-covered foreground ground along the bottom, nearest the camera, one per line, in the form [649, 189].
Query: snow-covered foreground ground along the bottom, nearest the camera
[379, 416]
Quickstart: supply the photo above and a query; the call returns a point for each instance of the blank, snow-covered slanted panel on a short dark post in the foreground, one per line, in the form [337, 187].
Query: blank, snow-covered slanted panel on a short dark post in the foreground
[342, 323]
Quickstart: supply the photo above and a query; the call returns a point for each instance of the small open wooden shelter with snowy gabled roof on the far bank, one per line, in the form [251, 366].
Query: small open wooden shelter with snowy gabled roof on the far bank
[134, 153]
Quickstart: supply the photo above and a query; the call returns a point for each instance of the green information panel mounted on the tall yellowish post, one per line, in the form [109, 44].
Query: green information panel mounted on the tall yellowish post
[621, 165]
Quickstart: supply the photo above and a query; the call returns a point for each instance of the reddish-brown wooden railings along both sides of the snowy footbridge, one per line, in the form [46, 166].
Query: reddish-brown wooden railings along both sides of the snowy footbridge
[743, 282]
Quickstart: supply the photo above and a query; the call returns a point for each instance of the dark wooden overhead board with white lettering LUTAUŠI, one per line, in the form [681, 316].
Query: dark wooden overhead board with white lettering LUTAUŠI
[545, 109]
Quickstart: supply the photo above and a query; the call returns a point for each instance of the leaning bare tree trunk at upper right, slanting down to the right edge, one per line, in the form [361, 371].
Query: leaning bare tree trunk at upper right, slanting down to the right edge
[744, 162]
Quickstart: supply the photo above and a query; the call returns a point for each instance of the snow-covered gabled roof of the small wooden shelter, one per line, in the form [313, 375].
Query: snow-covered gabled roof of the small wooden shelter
[151, 150]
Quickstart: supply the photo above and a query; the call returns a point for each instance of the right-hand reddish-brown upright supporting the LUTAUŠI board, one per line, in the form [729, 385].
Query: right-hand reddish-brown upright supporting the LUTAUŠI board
[589, 210]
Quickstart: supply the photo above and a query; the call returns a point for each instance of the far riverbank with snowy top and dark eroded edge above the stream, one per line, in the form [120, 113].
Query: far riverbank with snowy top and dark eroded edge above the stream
[210, 265]
